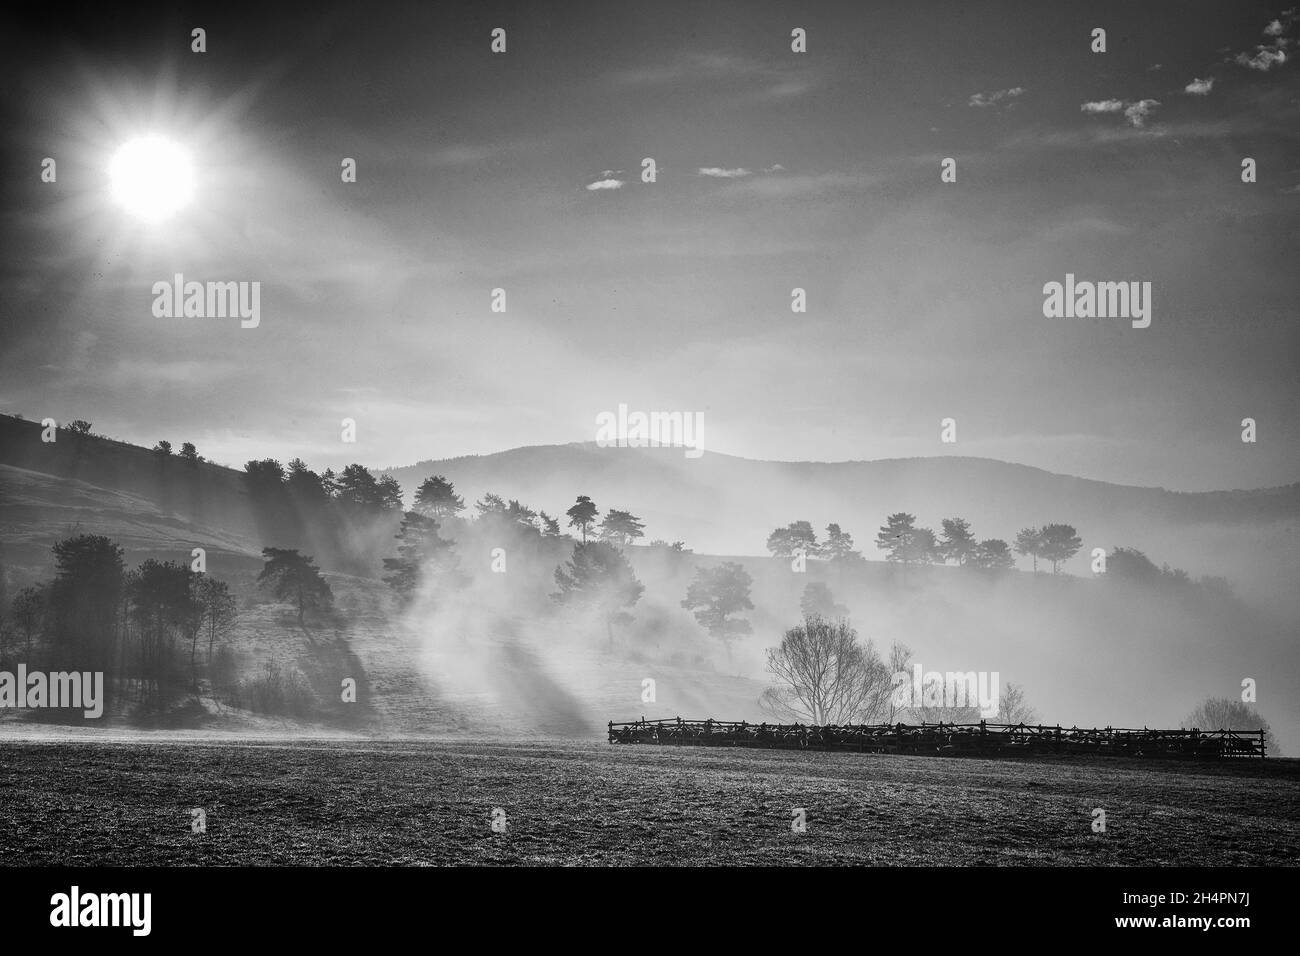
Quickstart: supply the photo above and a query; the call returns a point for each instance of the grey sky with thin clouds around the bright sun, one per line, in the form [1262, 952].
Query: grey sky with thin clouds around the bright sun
[775, 170]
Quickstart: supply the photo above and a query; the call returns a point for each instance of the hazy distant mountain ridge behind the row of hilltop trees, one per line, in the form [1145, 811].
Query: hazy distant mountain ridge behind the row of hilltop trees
[721, 504]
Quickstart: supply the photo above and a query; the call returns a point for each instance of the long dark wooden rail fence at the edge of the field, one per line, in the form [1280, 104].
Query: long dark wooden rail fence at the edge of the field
[950, 739]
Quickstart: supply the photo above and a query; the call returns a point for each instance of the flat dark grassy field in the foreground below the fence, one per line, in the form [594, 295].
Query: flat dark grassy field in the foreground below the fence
[431, 803]
